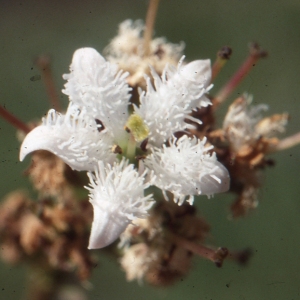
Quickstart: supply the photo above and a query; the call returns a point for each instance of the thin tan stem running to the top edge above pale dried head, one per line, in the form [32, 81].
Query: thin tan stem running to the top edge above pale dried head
[150, 20]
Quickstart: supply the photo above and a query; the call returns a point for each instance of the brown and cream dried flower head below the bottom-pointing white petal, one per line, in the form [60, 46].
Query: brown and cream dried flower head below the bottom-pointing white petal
[153, 248]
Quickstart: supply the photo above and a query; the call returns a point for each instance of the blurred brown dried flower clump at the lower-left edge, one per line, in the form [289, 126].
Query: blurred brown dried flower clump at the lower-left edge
[46, 234]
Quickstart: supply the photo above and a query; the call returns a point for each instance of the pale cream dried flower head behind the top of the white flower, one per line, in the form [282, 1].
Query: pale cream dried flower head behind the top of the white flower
[128, 51]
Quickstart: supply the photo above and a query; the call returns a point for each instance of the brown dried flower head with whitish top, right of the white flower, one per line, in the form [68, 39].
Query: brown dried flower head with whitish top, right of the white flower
[249, 138]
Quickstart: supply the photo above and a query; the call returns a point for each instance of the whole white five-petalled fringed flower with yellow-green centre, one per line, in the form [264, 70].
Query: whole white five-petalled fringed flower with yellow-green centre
[91, 137]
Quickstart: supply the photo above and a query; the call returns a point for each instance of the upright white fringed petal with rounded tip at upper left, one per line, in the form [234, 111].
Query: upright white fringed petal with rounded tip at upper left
[98, 86]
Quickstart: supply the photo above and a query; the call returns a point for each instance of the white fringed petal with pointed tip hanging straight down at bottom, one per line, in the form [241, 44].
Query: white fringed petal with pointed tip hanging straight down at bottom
[117, 196]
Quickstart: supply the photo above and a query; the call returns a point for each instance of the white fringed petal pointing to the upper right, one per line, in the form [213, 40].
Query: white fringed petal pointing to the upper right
[176, 94]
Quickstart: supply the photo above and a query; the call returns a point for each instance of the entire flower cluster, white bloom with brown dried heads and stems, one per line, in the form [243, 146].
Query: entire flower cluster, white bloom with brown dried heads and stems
[141, 122]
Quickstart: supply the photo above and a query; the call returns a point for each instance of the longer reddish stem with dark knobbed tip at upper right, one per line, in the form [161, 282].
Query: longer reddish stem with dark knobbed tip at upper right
[235, 80]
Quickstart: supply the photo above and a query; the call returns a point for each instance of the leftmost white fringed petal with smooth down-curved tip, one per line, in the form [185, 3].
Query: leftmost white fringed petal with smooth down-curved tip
[75, 138]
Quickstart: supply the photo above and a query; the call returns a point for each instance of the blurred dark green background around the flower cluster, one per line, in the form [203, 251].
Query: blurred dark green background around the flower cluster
[30, 28]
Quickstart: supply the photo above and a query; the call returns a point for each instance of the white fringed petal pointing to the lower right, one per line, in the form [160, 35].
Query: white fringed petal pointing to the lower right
[186, 168]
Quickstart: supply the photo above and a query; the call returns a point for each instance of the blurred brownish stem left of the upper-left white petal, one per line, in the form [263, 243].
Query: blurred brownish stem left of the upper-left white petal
[43, 62]
